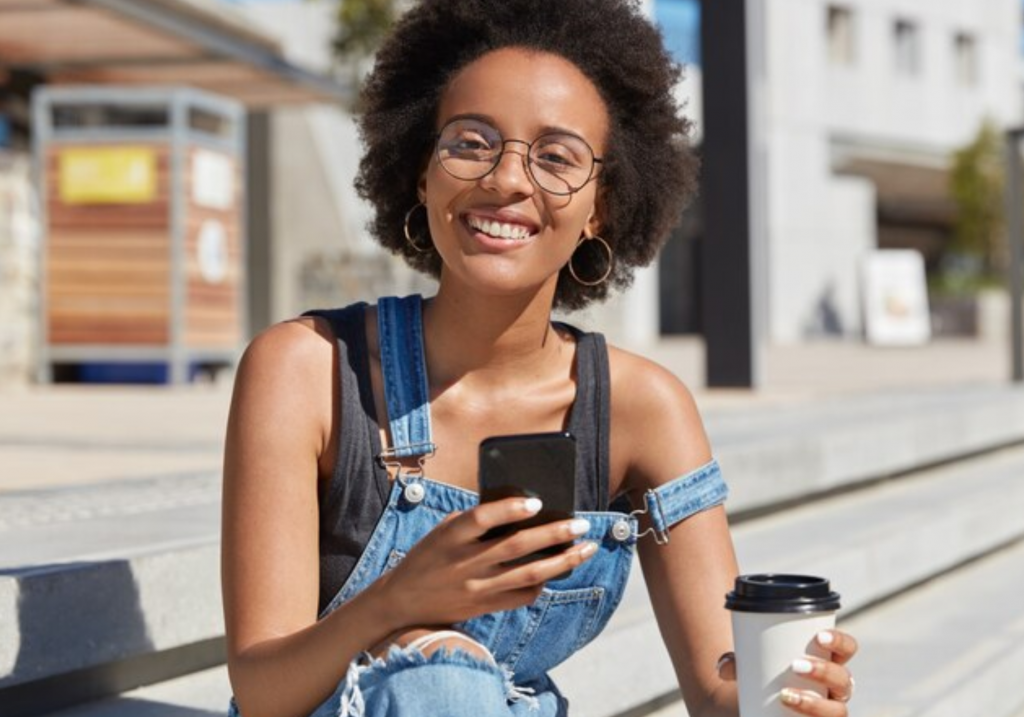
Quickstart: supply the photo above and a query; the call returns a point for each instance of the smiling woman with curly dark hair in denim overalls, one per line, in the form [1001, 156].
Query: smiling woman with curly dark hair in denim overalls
[529, 154]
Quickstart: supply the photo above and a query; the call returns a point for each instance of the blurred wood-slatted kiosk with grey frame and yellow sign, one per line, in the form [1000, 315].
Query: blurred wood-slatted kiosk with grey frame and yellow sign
[143, 250]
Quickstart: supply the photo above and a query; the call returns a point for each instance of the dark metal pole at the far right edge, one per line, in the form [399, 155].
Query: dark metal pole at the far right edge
[1015, 236]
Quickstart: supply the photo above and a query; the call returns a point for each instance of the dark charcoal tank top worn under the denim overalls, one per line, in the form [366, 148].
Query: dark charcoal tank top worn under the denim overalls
[354, 500]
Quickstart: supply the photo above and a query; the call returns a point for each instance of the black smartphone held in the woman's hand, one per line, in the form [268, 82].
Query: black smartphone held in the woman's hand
[531, 466]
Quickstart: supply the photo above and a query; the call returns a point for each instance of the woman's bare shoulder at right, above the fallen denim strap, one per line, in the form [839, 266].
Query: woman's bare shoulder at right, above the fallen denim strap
[656, 426]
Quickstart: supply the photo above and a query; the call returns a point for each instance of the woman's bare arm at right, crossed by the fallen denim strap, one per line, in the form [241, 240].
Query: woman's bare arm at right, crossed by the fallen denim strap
[688, 579]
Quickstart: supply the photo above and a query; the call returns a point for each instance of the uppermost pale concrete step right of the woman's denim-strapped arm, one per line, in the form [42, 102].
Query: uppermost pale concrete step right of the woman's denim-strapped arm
[774, 455]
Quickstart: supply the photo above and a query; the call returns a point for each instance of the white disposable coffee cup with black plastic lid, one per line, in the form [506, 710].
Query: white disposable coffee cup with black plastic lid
[775, 621]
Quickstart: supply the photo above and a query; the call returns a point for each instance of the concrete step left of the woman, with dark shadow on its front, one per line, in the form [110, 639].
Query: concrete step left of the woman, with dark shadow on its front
[108, 586]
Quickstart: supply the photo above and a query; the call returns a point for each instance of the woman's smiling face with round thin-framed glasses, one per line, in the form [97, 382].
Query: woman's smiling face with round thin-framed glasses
[502, 234]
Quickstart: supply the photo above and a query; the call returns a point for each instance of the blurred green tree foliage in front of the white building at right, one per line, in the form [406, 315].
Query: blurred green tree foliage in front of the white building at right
[977, 188]
